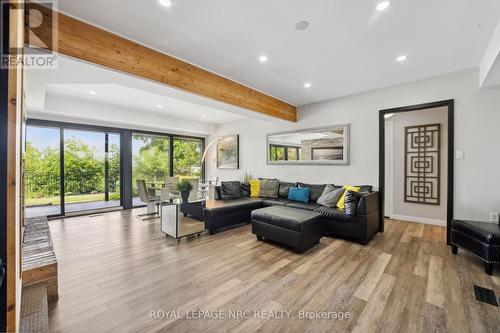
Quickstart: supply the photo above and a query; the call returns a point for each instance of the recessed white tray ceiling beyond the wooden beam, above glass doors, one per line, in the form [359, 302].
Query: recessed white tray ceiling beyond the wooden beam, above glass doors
[75, 80]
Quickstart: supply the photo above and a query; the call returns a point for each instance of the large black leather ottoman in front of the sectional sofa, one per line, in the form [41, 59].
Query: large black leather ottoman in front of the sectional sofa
[298, 228]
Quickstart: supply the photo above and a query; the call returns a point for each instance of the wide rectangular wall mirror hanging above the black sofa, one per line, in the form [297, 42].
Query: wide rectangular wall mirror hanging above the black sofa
[325, 145]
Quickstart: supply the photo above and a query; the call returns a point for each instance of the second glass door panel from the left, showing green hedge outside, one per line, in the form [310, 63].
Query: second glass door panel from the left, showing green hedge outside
[91, 170]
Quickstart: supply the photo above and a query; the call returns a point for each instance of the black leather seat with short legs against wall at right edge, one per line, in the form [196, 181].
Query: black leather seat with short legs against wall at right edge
[479, 238]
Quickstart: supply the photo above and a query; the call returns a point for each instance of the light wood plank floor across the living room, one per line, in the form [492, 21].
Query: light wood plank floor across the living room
[114, 269]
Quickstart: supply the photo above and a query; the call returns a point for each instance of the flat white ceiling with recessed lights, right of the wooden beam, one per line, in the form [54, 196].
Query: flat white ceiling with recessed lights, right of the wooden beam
[348, 48]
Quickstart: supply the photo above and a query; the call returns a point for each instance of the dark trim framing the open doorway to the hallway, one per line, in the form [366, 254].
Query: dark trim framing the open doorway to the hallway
[451, 151]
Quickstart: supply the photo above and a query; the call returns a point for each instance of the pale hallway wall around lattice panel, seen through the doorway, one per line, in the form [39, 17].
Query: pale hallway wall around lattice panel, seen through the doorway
[413, 211]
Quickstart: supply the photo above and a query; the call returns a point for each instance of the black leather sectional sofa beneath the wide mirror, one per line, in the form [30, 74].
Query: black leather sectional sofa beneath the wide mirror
[361, 226]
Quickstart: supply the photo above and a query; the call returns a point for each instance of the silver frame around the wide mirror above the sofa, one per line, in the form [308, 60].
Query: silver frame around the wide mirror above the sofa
[345, 161]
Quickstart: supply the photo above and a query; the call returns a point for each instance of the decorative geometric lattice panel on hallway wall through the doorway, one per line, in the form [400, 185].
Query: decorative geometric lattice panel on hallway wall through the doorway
[423, 164]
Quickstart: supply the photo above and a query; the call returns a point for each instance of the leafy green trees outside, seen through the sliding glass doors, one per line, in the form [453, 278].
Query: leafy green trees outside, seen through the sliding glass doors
[84, 168]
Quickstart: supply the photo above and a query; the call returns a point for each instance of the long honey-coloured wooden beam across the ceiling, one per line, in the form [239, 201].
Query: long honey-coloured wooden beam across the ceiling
[95, 45]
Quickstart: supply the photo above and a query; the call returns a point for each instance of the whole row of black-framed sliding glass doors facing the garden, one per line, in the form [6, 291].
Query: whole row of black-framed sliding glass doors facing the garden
[73, 168]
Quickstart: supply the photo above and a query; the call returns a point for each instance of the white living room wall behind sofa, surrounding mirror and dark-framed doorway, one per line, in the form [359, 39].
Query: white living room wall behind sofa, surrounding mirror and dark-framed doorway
[477, 133]
